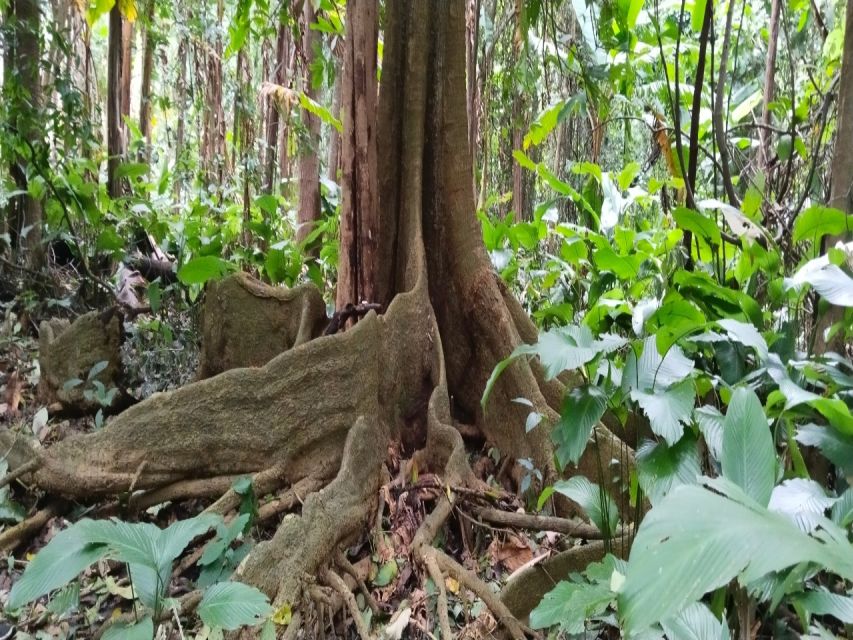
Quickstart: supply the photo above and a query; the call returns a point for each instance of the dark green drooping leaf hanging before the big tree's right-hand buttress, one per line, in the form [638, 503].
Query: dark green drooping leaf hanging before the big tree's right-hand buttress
[582, 409]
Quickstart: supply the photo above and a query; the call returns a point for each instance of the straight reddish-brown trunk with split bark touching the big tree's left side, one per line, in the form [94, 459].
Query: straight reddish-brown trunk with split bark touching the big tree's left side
[360, 232]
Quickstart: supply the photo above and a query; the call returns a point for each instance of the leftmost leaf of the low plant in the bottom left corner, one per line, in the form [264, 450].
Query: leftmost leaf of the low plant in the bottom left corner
[63, 558]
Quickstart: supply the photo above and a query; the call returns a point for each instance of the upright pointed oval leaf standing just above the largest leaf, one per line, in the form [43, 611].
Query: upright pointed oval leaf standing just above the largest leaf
[748, 455]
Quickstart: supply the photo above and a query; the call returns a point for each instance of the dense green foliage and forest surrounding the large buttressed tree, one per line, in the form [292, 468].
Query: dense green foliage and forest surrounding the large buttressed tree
[654, 181]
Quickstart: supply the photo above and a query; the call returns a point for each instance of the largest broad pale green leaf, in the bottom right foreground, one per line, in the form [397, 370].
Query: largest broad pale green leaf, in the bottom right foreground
[697, 540]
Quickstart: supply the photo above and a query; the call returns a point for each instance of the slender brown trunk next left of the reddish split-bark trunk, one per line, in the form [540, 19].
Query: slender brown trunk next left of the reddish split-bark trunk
[309, 159]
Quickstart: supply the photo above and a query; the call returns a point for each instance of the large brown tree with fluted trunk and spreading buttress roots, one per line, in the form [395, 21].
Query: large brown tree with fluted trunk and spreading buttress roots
[325, 411]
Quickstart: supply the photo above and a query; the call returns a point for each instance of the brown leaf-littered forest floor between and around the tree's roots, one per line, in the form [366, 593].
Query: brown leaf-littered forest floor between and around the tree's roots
[382, 560]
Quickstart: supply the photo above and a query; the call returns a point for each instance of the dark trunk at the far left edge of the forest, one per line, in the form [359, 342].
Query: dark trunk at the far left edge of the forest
[22, 89]
